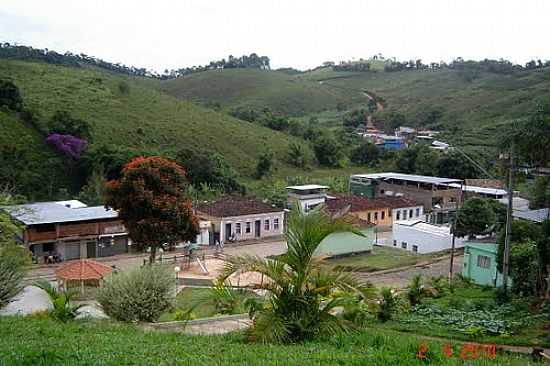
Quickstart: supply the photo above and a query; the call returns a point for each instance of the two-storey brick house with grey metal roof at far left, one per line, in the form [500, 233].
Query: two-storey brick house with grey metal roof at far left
[64, 230]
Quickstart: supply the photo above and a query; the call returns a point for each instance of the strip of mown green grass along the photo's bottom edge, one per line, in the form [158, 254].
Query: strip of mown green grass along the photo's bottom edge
[31, 341]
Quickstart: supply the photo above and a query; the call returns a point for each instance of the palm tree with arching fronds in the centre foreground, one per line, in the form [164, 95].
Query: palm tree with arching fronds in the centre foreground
[302, 293]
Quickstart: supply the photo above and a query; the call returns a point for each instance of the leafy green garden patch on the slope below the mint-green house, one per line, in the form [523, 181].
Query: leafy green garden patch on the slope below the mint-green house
[472, 314]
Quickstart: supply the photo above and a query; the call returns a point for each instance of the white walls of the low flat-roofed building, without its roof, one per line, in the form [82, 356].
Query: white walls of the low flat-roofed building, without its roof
[427, 242]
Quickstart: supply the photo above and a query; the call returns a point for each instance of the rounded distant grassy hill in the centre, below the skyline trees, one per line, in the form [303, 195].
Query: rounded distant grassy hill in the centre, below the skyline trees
[281, 92]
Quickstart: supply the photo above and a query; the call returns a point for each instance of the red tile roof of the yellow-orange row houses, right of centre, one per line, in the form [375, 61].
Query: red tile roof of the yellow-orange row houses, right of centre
[358, 203]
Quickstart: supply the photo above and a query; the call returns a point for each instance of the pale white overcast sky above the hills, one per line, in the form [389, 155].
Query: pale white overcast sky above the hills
[302, 34]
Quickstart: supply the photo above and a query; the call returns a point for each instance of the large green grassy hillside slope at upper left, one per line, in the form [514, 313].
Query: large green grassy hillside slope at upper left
[141, 118]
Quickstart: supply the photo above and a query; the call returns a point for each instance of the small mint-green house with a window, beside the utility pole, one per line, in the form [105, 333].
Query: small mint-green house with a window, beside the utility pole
[480, 263]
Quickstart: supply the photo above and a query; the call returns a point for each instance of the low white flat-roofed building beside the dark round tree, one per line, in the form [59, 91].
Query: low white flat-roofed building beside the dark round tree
[420, 237]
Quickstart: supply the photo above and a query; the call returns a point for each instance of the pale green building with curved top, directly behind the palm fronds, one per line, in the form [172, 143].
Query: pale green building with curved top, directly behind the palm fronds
[347, 243]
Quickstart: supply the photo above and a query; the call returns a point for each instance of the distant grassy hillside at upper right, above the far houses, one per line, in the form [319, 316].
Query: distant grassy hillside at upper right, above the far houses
[474, 103]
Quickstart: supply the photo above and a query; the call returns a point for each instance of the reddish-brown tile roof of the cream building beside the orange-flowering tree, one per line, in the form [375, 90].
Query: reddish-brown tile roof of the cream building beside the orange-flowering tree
[235, 206]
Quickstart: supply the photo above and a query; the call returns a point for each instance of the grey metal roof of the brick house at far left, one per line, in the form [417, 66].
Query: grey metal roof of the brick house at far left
[57, 212]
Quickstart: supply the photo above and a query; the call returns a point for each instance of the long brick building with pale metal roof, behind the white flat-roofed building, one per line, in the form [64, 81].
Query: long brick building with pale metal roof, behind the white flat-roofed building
[435, 194]
